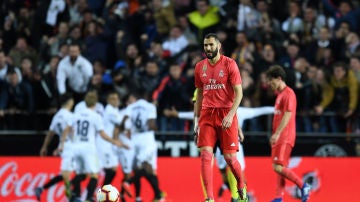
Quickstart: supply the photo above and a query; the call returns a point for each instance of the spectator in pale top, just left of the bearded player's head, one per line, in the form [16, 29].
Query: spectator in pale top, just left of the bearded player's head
[176, 42]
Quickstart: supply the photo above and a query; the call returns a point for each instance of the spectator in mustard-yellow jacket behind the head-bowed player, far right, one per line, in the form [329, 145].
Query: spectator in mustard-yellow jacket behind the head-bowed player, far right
[340, 96]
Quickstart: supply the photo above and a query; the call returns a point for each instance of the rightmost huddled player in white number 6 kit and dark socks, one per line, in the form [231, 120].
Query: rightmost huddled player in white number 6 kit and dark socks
[142, 115]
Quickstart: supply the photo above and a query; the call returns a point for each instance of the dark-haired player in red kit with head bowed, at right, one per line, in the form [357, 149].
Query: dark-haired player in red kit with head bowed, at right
[284, 133]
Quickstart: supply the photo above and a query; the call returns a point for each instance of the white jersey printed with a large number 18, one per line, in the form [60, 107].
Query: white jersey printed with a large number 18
[85, 126]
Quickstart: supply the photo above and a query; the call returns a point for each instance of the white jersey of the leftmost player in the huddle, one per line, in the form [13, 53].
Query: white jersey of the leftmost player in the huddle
[60, 121]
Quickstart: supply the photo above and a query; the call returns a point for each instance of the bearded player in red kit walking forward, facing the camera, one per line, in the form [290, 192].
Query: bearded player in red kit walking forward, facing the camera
[218, 82]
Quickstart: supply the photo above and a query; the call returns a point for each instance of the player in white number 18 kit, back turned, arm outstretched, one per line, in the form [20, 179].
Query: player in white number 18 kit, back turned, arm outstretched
[85, 126]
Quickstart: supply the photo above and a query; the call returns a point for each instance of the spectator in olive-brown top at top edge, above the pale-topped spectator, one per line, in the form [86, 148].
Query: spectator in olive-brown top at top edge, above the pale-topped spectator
[164, 16]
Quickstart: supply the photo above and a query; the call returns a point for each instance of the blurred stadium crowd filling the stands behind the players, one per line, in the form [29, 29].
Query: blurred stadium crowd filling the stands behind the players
[51, 47]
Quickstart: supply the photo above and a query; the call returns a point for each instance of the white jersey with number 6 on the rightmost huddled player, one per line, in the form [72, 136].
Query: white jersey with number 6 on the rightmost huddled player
[139, 113]
